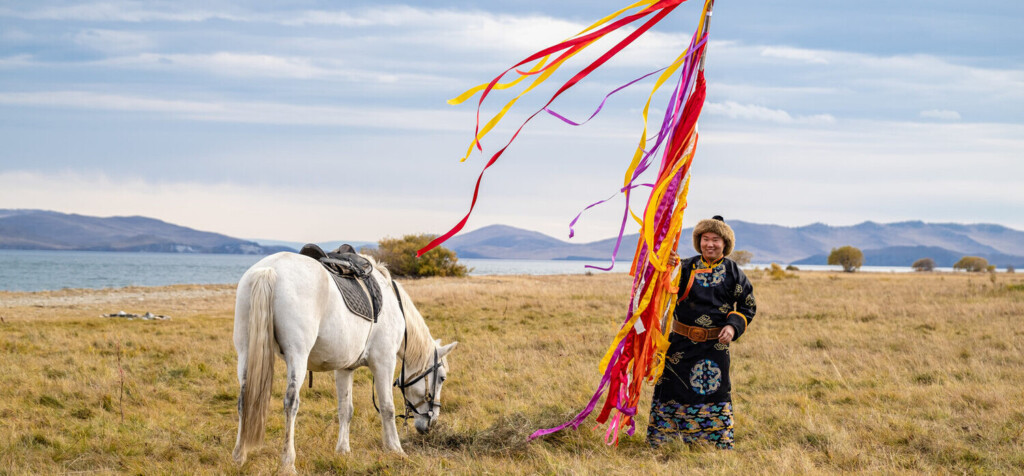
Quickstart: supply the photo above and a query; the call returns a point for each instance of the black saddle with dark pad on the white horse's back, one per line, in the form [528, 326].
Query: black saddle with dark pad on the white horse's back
[352, 274]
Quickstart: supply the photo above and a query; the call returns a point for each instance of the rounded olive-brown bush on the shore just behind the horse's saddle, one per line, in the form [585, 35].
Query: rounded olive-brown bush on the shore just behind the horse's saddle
[400, 255]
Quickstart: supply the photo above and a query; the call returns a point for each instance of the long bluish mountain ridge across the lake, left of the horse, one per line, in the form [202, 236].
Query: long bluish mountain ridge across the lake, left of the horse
[39, 230]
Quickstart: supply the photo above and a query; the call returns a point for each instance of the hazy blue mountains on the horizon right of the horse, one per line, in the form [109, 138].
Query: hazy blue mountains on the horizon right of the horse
[884, 245]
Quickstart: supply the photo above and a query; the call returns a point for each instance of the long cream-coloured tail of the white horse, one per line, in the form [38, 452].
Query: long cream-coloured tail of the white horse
[260, 360]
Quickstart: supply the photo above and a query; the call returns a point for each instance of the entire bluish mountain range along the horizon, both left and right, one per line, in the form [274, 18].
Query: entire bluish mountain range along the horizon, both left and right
[883, 244]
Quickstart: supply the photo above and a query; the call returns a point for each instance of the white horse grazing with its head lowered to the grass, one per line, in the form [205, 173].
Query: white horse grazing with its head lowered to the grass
[287, 305]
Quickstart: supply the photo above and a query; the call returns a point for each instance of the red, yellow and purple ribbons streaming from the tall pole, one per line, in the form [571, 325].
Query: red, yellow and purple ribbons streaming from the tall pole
[637, 353]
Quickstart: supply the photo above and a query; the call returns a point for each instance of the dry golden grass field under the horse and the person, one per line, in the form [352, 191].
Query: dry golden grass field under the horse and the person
[839, 373]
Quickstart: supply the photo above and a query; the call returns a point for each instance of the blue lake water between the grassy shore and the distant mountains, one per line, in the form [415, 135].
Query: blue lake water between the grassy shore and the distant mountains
[42, 271]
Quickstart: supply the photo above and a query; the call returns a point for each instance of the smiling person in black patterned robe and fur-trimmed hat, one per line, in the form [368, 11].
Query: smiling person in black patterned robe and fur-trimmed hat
[693, 400]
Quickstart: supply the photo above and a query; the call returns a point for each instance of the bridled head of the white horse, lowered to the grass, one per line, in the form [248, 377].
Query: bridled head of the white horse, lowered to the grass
[423, 392]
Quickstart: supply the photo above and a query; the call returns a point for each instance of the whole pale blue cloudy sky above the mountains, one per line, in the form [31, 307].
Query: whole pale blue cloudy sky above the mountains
[314, 121]
